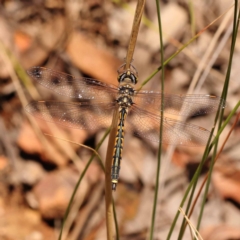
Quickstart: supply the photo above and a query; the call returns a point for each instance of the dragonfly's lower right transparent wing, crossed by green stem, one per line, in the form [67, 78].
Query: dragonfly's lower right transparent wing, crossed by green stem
[147, 125]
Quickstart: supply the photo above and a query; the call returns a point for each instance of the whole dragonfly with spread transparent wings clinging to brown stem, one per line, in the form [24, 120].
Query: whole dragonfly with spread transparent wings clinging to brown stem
[140, 111]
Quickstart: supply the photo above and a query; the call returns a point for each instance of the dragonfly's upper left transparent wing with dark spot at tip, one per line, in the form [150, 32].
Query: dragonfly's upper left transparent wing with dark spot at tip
[68, 85]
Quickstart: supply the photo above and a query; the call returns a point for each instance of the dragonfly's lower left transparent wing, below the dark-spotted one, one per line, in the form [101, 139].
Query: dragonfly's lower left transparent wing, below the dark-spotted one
[74, 115]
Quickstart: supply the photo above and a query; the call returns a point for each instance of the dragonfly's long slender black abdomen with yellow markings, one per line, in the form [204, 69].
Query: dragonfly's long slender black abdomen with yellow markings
[117, 155]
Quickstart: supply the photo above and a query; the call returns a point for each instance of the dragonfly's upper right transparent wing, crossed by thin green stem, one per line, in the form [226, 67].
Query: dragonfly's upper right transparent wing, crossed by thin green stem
[185, 105]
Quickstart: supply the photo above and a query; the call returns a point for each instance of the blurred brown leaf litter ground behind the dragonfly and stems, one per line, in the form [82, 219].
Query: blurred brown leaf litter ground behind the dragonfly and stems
[89, 38]
